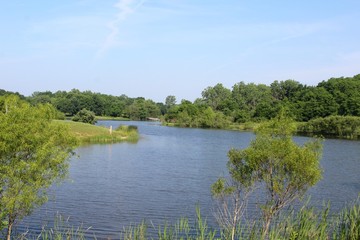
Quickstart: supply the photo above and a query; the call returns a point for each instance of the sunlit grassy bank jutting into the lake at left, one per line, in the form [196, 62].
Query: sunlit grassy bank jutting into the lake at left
[87, 133]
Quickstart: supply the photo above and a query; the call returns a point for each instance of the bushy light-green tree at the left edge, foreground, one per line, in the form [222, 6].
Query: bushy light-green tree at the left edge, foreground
[34, 151]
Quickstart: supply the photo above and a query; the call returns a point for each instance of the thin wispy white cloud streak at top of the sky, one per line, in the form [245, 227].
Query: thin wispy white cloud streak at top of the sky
[125, 8]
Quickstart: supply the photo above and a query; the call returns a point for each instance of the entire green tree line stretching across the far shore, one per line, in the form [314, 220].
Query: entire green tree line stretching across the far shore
[219, 106]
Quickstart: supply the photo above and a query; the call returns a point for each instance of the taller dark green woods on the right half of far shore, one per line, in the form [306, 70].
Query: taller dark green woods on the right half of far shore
[258, 102]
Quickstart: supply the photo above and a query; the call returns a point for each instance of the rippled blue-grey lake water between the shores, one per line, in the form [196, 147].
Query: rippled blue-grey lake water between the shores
[166, 174]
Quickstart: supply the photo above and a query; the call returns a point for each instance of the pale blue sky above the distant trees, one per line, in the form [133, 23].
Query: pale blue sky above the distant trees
[156, 48]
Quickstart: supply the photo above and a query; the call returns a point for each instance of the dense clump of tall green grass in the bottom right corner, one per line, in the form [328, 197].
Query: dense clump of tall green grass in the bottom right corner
[311, 223]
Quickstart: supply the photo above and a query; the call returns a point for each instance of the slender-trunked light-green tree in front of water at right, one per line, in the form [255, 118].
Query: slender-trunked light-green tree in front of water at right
[275, 161]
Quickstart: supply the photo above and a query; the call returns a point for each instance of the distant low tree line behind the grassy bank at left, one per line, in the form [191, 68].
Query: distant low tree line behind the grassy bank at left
[72, 102]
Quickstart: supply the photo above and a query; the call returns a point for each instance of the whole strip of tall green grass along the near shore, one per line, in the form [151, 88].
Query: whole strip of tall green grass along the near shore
[306, 223]
